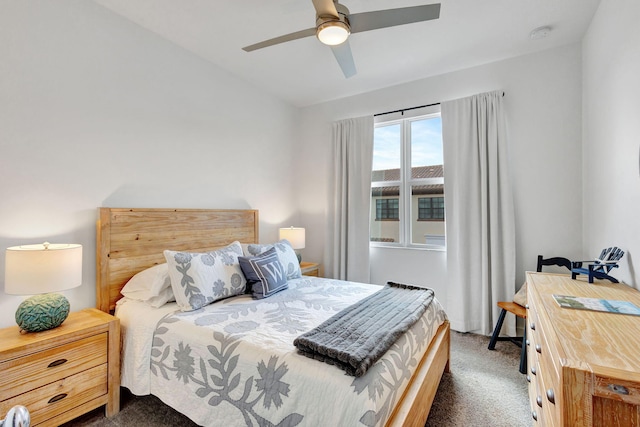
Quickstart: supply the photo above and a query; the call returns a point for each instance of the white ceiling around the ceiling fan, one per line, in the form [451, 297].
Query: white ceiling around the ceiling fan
[304, 72]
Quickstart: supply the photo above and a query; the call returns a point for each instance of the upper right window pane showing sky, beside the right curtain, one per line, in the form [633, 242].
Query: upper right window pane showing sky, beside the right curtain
[426, 148]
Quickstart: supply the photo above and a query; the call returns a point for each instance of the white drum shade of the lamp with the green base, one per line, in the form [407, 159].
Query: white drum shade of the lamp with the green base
[37, 269]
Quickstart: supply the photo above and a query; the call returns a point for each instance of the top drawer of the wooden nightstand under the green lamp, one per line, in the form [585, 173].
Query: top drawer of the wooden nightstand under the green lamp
[33, 371]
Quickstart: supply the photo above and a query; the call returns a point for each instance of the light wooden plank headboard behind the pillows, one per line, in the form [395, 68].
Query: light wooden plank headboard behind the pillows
[131, 240]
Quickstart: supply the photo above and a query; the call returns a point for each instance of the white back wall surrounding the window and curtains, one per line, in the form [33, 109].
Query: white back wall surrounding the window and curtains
[543, 105]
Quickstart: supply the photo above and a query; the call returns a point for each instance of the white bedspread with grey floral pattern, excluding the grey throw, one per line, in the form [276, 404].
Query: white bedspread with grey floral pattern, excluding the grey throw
[234, 363]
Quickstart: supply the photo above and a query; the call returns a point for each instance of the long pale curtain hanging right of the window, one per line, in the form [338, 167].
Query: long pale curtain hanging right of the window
[479, 212]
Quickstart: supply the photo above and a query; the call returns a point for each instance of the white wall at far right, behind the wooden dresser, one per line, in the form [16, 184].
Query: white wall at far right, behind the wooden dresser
[611, 69]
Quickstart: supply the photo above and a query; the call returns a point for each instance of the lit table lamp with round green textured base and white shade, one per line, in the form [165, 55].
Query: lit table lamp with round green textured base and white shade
[39, 269]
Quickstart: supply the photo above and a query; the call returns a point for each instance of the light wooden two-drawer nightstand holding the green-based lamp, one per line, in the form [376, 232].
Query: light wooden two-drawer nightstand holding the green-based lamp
[65, 372]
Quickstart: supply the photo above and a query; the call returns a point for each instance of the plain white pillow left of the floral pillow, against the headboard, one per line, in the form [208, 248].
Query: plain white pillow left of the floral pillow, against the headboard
[151, 285]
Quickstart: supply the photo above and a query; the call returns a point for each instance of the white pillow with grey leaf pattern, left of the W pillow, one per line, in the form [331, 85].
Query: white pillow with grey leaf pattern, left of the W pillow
[198, 279]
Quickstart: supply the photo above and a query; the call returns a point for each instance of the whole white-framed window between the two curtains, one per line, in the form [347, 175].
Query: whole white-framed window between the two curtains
[407, 189]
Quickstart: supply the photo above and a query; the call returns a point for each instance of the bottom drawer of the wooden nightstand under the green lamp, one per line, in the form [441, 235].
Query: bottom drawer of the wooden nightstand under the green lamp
[63, 395]
